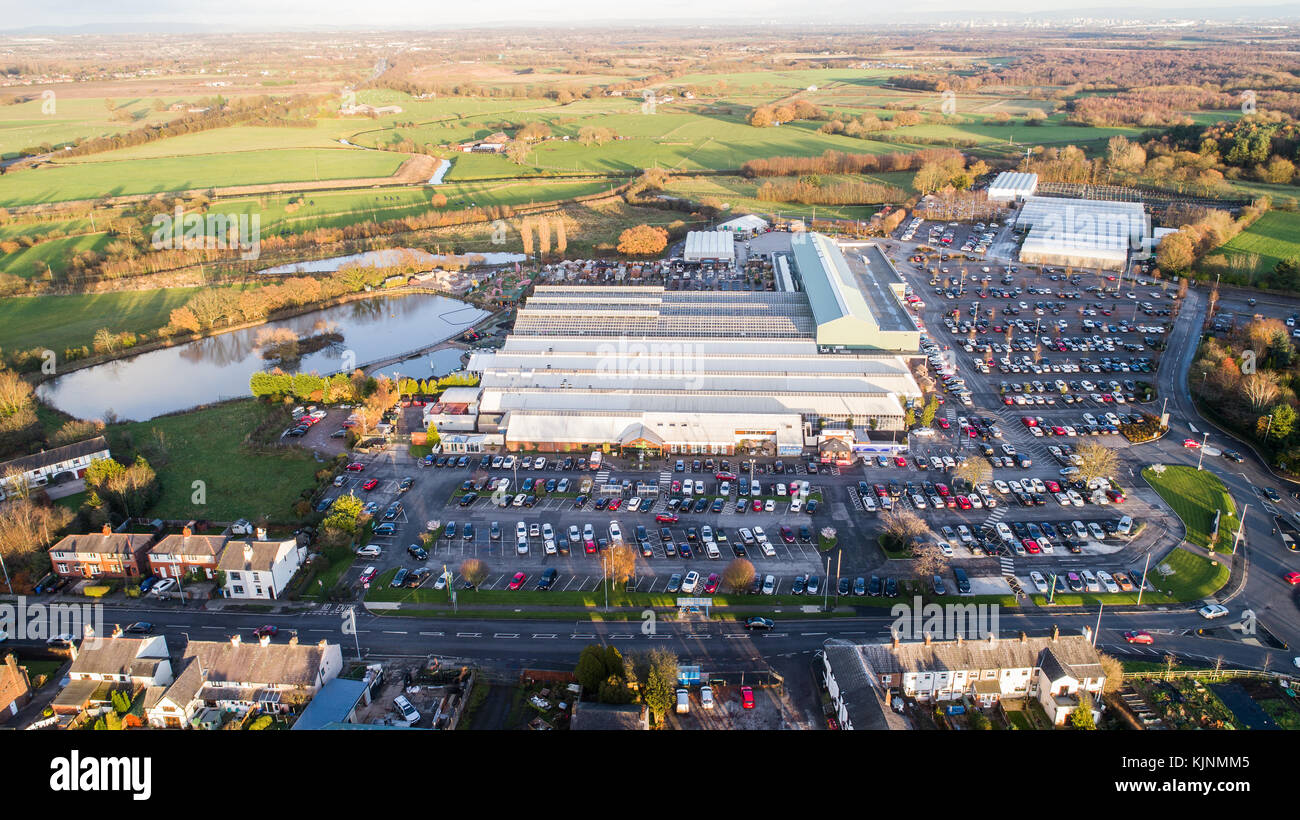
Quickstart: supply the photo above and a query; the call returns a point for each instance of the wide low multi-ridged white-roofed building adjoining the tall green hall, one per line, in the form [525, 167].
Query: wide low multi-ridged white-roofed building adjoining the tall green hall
[686, 372]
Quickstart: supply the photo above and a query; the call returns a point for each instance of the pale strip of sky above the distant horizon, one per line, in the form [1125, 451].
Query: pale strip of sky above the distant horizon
[424, 15]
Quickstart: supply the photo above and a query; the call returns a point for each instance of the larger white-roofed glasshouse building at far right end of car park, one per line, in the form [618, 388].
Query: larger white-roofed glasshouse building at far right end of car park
[1082, 233]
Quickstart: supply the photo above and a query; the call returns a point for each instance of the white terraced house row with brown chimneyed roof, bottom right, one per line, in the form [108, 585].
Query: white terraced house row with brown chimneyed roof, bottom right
[1054, 670]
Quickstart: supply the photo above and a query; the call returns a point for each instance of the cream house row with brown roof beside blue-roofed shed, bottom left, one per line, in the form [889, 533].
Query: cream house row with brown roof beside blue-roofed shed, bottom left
[233, 678]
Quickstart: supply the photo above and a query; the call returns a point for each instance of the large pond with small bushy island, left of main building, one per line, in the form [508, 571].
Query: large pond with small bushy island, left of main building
[219, 367]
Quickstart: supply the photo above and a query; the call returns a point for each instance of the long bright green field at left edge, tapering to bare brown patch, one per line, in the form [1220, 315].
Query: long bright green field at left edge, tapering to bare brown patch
[118, 179]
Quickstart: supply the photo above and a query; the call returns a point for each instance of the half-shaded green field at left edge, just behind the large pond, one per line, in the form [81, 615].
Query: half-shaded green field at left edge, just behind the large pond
[59, 323]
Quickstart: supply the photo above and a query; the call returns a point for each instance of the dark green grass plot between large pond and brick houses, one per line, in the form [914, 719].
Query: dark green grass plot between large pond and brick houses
[205, 446]
